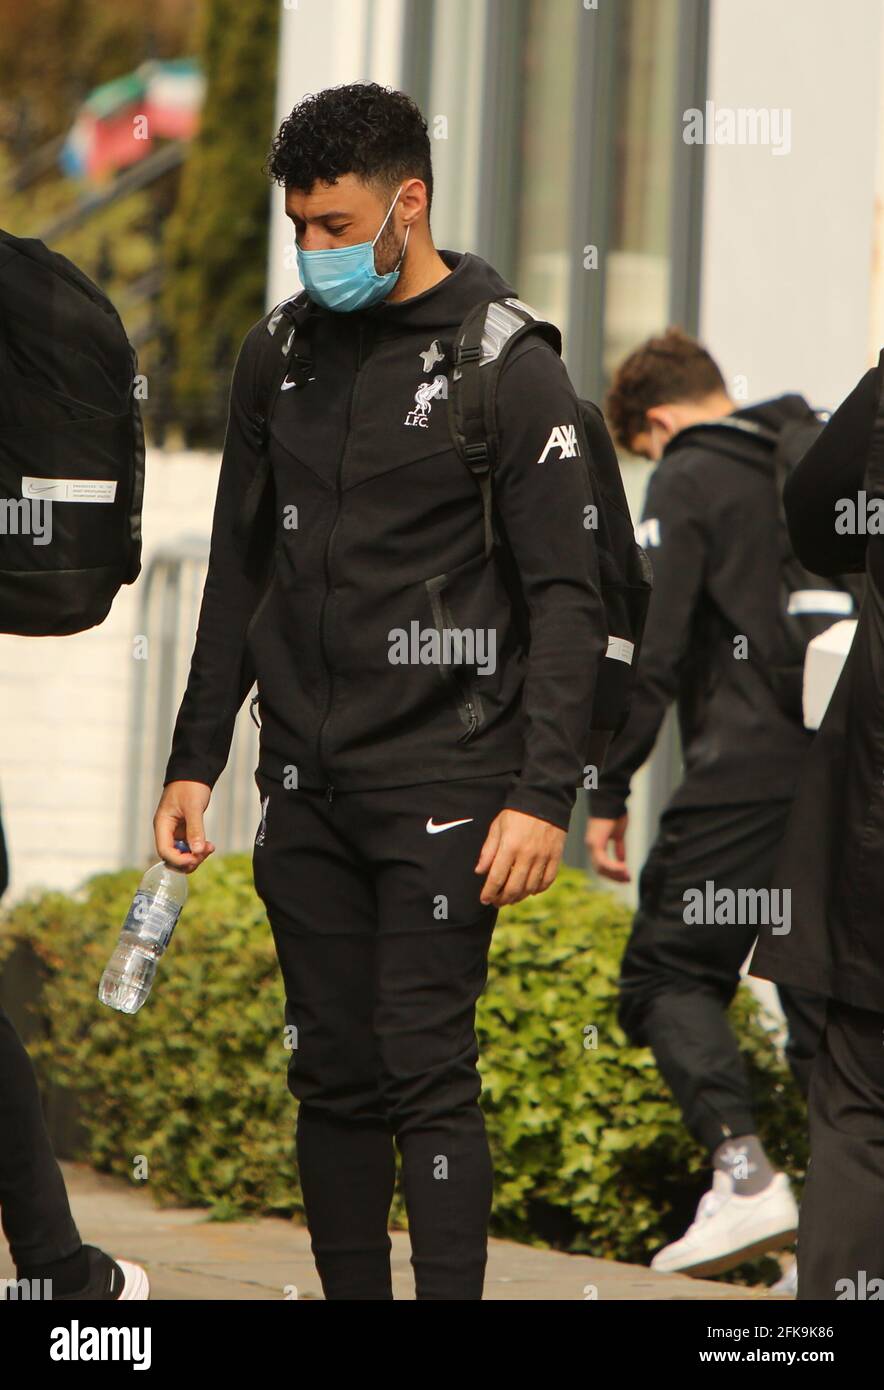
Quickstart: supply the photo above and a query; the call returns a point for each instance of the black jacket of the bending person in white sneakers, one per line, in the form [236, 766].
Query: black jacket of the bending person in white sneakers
[711, 526]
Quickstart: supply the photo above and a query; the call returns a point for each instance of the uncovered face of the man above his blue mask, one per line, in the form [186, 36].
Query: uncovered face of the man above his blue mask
[343, 215]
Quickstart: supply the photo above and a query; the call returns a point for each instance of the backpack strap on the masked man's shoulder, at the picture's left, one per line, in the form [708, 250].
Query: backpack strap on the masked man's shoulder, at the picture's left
[286, 355]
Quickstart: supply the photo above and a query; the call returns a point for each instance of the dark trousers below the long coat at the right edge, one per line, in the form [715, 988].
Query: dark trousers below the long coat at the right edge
[842, 1234]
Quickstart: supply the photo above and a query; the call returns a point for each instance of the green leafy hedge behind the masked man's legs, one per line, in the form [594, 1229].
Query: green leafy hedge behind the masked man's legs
[590, 1152]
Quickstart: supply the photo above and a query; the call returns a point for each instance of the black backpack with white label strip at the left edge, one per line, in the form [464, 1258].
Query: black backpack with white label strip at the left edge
[70, 436]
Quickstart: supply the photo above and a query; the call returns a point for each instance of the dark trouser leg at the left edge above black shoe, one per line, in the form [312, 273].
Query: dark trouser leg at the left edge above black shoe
[34, 1203]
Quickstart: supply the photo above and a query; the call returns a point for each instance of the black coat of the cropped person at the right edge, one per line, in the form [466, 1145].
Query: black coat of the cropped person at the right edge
[832, 862]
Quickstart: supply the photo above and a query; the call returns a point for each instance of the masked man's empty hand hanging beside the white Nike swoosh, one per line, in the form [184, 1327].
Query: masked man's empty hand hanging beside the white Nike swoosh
[522, 856]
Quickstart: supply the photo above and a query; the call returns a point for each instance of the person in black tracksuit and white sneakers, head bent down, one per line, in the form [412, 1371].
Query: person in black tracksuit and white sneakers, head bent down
[710, 523]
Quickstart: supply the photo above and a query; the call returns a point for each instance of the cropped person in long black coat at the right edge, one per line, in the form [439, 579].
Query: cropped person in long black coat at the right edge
[833, 864]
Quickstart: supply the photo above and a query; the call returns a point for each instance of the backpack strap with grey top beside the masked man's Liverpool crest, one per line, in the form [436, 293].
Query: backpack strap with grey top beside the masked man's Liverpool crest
[482, 344]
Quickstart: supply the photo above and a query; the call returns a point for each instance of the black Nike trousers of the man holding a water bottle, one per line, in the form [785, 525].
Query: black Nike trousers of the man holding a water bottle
[384, 953]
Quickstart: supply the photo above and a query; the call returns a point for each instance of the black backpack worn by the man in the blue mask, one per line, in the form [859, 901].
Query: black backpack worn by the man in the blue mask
[487, 336]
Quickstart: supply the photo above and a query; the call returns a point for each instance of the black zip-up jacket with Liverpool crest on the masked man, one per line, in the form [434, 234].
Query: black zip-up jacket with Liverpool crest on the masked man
[380, 546]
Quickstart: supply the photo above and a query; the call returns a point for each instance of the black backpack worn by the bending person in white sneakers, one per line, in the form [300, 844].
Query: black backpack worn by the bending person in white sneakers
[807, 603]
